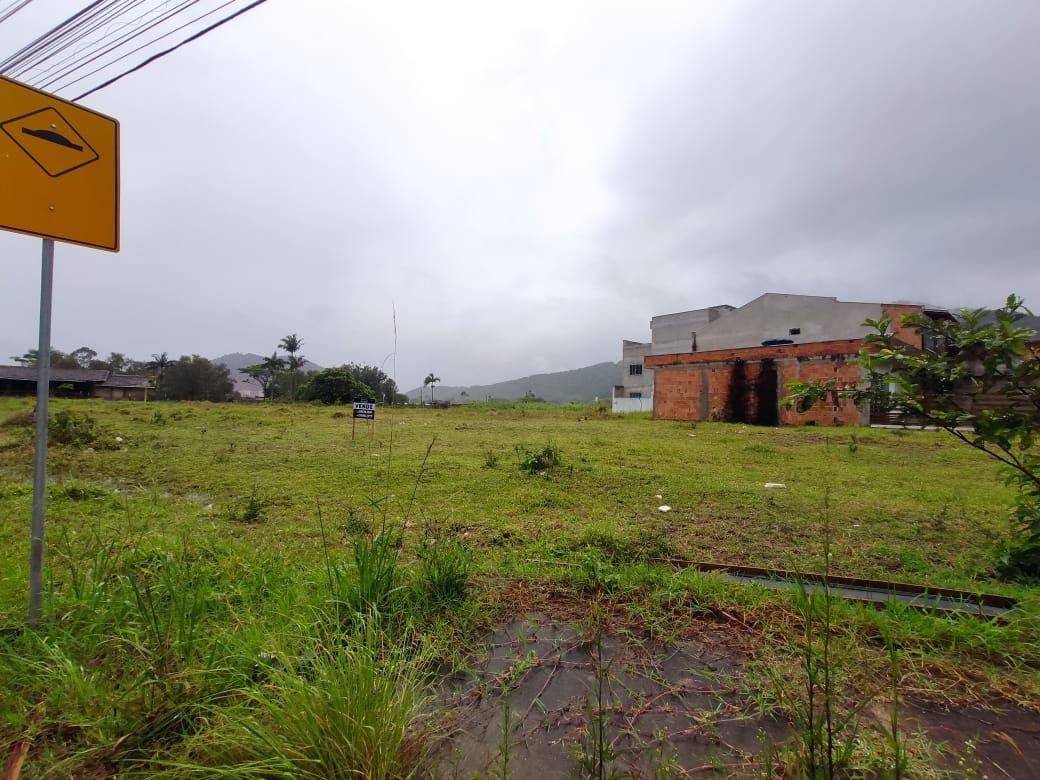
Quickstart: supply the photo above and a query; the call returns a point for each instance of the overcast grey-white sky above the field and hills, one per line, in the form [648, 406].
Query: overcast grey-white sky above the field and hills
[529, 184]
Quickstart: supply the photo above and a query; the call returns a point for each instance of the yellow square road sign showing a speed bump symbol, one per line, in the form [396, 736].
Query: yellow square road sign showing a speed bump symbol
[60, 169]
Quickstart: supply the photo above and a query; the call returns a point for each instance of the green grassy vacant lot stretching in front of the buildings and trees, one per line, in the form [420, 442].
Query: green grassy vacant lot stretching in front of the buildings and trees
[199, 555]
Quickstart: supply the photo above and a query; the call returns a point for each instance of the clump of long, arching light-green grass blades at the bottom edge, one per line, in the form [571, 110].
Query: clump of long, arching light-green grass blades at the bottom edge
[349, 711]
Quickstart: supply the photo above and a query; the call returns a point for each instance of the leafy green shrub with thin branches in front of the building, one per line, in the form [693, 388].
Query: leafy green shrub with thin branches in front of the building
[973, 358]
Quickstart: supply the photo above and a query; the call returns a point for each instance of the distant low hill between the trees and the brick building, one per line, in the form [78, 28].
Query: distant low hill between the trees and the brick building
[580, 385]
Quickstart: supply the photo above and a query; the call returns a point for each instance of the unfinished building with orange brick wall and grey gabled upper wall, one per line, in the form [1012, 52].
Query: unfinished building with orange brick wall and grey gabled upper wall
[739, 366]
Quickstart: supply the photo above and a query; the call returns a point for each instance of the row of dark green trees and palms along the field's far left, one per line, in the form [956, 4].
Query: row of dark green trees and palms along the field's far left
[280, 377]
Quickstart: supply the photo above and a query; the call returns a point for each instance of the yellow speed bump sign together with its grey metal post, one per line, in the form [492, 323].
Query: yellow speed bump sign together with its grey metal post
[61, 174]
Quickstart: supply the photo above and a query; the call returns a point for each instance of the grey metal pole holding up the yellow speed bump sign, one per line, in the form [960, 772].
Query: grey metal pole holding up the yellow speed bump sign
[40, 461]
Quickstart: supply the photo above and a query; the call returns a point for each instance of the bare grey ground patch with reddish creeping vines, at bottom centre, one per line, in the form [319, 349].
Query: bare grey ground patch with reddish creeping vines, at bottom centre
[672, 707]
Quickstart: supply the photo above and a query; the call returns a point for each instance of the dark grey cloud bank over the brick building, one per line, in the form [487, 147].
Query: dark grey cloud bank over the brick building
[879, 151]
